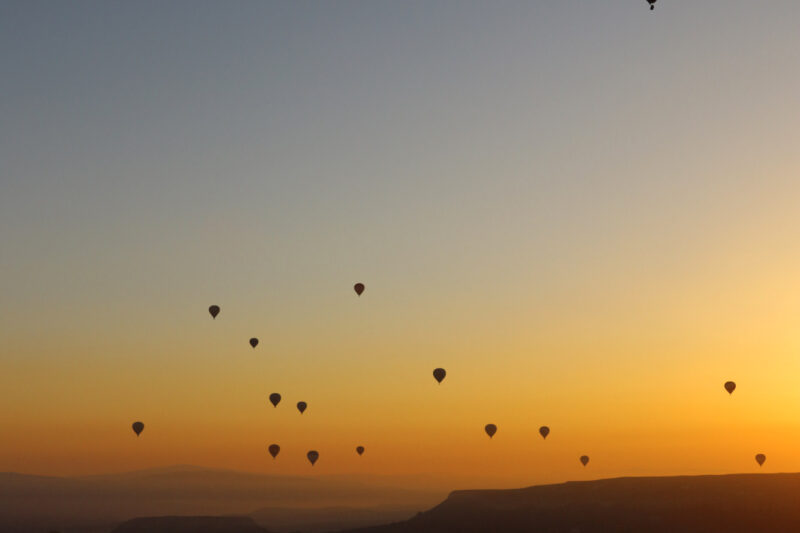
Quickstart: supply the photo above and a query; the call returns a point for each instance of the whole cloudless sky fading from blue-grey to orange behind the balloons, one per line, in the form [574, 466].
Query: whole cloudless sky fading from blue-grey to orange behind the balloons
[587, 212]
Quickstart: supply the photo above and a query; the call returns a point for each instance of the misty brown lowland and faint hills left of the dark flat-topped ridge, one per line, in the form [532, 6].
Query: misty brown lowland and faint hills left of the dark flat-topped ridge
[282, 503]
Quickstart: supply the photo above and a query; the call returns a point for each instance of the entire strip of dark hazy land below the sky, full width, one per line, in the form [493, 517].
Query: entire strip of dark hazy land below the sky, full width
[191, 500]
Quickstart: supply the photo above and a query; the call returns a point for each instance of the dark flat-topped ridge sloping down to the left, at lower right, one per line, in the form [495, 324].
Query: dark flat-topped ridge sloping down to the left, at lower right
[738, 503]
